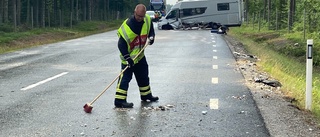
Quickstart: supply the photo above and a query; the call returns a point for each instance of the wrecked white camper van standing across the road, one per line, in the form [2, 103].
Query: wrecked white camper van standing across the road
[204, 14]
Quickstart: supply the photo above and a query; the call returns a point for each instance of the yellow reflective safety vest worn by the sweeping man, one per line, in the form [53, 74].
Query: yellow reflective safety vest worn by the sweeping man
[135, 42]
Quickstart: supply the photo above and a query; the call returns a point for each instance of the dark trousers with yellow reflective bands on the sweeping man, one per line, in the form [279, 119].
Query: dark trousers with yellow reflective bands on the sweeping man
[141, 73]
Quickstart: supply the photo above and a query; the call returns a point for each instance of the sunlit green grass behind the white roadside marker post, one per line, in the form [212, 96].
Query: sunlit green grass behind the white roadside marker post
[287, 69]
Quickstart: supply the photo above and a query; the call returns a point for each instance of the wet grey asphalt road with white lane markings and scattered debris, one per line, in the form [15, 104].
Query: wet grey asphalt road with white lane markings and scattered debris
[193, 72]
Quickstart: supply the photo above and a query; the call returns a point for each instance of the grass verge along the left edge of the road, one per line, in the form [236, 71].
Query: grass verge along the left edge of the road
[12, 41]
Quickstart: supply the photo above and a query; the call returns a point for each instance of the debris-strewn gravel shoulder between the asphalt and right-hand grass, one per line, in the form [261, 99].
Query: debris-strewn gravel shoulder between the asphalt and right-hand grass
[281, 116]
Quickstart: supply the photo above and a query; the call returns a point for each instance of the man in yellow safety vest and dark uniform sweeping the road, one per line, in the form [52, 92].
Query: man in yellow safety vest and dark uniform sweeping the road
[133, 35]
